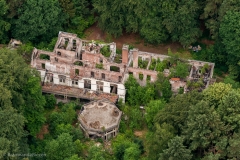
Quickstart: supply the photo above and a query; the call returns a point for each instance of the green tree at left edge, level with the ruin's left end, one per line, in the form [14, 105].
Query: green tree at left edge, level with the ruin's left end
[11, 79]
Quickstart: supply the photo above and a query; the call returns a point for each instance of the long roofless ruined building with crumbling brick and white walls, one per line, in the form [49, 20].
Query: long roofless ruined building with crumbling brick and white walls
[93, 70]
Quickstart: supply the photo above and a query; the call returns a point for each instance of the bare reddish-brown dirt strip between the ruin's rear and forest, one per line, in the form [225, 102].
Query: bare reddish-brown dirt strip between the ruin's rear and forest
[94, 33]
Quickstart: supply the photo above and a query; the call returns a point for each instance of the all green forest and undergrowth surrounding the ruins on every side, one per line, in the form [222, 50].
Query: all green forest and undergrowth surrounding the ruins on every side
[197, 125]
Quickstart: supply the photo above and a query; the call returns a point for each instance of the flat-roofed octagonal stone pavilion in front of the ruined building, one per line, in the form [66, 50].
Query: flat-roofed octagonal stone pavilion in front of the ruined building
[100, 119]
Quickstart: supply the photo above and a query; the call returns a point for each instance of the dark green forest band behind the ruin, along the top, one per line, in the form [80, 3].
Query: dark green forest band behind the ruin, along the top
[38, 22]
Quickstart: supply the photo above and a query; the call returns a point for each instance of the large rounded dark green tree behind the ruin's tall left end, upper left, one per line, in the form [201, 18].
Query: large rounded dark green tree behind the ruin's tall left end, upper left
[39, 20]
